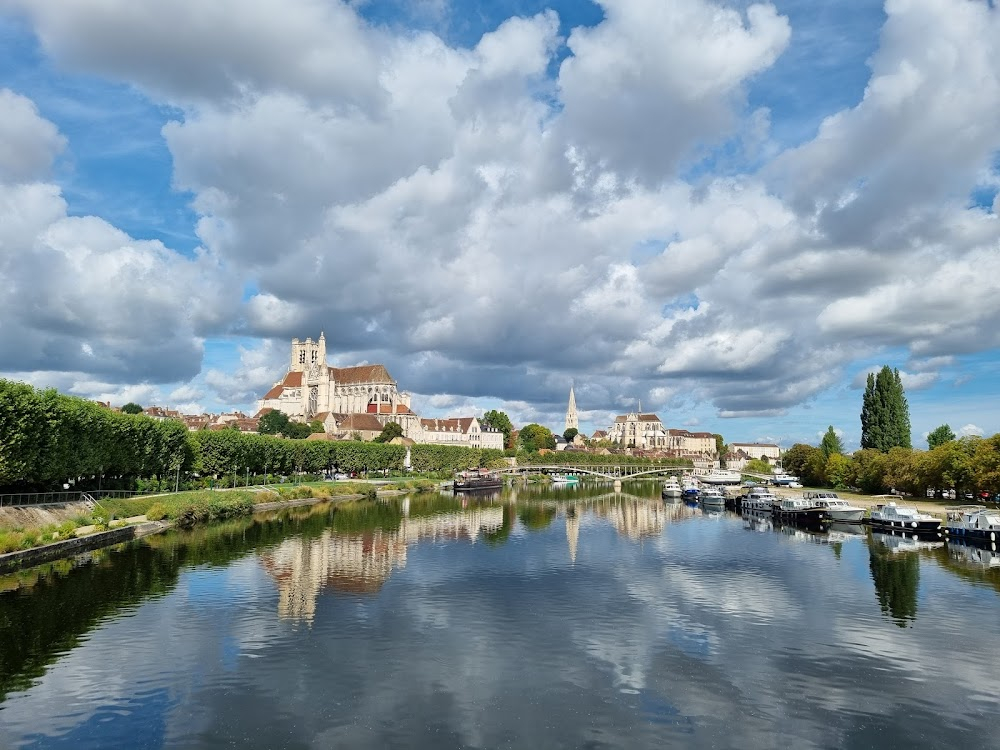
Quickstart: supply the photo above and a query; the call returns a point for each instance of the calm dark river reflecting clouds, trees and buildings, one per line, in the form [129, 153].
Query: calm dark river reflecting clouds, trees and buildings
[546, 619]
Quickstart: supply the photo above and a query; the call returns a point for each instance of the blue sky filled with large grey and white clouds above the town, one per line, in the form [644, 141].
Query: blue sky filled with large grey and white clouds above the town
[730, 211]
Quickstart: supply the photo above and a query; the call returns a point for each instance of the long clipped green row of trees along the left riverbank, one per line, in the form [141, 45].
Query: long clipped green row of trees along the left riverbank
[48, 439]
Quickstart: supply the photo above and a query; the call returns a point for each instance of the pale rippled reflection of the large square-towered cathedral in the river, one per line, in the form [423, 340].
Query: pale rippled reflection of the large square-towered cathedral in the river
[361, 563]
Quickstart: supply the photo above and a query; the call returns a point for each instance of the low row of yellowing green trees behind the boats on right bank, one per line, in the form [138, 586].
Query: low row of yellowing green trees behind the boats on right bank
[965, 465]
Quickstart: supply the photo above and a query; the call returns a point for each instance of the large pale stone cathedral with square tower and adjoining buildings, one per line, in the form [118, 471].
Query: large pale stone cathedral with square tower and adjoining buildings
[362, 399]
